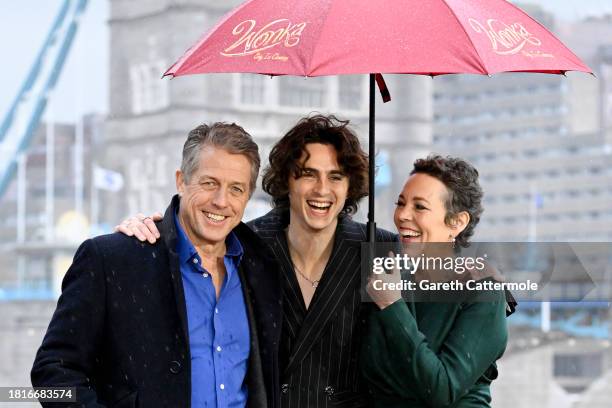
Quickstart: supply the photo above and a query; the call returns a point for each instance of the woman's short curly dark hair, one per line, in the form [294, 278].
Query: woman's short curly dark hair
[464, 191]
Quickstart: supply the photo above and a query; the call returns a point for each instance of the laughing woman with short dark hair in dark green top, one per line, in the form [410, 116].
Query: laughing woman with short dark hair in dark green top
[427, 354]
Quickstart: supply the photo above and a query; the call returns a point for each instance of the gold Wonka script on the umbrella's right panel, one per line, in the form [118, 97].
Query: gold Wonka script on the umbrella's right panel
[505, 39]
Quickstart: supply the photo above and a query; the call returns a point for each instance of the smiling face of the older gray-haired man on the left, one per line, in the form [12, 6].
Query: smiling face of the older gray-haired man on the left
[213, 201]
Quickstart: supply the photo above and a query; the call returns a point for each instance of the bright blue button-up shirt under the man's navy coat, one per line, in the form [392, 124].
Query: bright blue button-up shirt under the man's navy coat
[219, 337]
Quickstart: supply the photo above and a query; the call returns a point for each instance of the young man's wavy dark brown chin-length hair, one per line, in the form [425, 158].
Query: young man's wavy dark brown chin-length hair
[325, 129]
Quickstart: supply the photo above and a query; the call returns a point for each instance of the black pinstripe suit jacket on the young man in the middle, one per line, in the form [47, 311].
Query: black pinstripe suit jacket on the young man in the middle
[319, 347]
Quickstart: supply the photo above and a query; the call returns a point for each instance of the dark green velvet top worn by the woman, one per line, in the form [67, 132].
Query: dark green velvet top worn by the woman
[434, 354]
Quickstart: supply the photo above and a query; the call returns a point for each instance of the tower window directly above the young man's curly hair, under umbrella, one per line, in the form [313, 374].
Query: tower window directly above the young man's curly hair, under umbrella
[303, 92]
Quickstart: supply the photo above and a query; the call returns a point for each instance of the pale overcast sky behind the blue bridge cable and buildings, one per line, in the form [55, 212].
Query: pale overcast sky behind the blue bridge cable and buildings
[83, 86]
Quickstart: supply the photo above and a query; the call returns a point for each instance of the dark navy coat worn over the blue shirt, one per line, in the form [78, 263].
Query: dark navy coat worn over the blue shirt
[119, 333]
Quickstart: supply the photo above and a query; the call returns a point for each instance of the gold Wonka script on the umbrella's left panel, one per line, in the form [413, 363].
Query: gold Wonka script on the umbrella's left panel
[252, 41]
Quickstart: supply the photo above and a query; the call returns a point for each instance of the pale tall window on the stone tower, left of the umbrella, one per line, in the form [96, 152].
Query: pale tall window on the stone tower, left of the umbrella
[149, 90]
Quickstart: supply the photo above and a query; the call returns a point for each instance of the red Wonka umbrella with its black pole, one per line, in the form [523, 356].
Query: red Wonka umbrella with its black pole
[330, 37]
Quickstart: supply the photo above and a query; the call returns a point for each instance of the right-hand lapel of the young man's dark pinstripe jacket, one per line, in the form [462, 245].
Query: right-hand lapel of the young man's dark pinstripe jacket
[340, 278]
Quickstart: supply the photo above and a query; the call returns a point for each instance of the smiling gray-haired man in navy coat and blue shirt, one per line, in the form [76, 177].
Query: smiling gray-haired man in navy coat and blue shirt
[192, 320]
